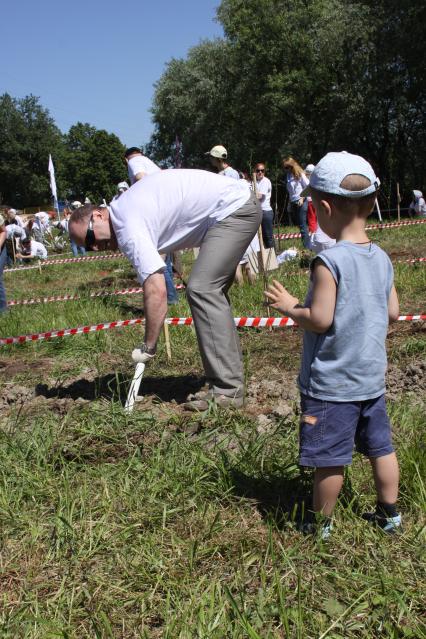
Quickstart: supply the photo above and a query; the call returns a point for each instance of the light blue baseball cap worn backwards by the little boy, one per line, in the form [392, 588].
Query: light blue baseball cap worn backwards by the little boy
[332, 169]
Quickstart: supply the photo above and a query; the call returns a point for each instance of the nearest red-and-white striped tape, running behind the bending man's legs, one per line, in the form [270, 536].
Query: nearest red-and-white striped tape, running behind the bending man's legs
[240, 322]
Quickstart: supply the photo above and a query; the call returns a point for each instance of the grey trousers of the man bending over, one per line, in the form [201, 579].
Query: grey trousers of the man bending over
[213, 273]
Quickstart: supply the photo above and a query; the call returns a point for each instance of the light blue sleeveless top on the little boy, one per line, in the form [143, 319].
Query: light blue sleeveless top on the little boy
[348, 362]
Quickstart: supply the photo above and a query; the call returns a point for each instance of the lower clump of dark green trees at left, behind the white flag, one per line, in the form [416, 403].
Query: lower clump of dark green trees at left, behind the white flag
[88, 161]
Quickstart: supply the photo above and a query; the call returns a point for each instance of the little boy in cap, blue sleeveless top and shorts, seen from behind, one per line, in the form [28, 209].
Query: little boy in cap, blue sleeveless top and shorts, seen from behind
[345, 318]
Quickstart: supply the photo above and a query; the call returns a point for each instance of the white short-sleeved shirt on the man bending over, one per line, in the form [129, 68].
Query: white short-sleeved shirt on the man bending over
[172, 210]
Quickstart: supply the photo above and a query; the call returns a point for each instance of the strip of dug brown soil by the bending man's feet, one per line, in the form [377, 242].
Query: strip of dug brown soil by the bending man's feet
[269, 400]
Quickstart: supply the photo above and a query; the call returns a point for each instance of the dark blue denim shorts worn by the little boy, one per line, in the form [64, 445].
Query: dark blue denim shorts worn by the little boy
[330, 430]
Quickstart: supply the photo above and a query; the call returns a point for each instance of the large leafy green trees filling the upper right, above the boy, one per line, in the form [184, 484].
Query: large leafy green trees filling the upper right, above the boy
[302, 77]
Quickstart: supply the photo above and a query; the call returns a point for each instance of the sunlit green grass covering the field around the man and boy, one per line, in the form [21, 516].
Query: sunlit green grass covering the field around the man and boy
[129, 526]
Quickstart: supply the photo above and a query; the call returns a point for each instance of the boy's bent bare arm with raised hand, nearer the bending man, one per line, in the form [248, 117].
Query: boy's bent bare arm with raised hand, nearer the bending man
[319, 317]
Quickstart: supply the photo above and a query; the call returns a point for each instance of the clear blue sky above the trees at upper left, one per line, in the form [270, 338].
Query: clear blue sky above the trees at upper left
[96, 61]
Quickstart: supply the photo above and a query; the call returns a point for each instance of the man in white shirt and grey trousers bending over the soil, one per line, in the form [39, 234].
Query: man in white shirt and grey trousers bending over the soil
[173, 210]
